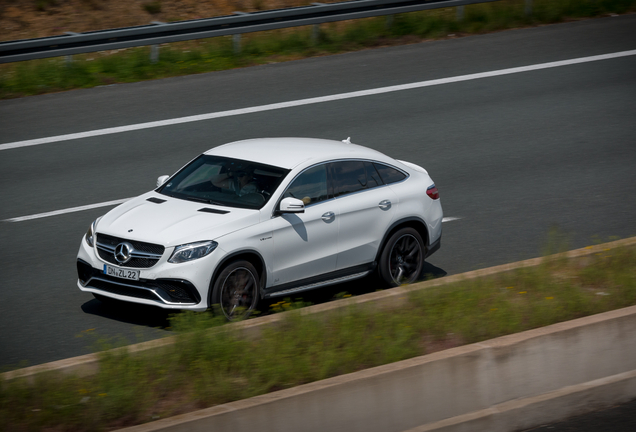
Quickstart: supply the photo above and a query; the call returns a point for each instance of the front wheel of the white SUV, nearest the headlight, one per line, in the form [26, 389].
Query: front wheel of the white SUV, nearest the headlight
[236, 290]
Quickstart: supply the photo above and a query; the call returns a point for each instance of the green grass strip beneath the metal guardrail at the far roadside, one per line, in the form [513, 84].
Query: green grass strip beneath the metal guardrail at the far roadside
[206, 55]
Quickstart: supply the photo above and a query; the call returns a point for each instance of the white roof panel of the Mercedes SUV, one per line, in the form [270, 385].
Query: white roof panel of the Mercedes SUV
[290, 152]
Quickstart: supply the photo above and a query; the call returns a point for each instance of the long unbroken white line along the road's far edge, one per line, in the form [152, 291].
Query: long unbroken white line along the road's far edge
[309, 101]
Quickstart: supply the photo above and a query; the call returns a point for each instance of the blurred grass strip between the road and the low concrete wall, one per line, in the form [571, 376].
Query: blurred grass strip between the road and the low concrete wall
[206, 368]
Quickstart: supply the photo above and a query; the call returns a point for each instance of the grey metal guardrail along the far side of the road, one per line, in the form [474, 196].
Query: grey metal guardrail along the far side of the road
[239, 23]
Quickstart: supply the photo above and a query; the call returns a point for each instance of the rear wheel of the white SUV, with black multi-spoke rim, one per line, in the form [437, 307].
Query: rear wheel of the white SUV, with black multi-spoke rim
[402, 258]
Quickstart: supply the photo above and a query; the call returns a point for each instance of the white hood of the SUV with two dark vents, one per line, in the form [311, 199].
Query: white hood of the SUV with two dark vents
[174, 221]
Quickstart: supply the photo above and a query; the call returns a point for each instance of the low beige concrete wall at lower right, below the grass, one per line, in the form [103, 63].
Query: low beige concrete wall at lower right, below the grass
[508, 383]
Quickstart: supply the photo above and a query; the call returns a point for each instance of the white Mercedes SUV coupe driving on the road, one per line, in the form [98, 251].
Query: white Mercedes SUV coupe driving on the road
[264, 218]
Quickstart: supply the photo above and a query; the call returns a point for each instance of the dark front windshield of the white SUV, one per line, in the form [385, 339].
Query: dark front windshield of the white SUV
[225, 181]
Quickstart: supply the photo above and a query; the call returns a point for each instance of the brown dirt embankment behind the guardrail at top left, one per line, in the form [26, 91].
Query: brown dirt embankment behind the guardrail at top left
[25, 19]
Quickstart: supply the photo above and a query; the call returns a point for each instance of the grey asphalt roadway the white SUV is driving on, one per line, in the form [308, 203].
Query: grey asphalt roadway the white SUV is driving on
[513, 156]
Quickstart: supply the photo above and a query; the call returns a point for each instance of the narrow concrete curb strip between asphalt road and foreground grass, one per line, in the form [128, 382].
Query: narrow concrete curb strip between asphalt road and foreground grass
[88, 364]
